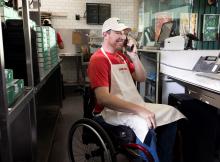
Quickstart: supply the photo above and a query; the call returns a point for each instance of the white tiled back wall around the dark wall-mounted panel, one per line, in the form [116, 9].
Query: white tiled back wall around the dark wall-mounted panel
[126, 10]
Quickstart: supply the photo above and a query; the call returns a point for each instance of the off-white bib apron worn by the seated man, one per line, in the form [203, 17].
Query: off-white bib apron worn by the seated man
[122, 86]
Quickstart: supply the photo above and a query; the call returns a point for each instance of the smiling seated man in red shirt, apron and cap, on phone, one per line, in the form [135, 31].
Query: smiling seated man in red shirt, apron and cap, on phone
[112, 73]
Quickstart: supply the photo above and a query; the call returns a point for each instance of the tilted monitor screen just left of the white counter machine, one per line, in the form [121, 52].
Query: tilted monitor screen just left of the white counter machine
[165, 31]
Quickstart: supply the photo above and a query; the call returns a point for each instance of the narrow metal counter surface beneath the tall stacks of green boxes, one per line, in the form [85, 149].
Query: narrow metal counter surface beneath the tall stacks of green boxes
[46, 76]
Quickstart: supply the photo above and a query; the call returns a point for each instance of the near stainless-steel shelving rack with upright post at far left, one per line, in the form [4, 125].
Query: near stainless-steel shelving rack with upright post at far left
[18, 141]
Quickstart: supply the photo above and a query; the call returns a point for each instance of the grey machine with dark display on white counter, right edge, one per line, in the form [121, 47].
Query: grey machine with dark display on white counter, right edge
[209, 64]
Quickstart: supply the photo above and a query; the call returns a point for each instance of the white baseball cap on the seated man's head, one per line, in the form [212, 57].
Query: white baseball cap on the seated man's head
[115, 24]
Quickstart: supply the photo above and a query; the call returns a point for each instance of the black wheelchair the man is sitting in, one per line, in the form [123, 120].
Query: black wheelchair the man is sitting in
[90, 140]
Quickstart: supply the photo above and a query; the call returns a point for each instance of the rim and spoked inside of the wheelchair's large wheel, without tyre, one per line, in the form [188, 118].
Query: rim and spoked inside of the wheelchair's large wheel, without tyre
[87, 145]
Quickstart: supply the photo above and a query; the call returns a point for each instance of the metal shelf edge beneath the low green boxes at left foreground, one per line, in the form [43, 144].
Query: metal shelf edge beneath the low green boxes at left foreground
[20, 103]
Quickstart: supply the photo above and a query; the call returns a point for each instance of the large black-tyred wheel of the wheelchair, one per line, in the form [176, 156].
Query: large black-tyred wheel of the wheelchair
[89, 142]
